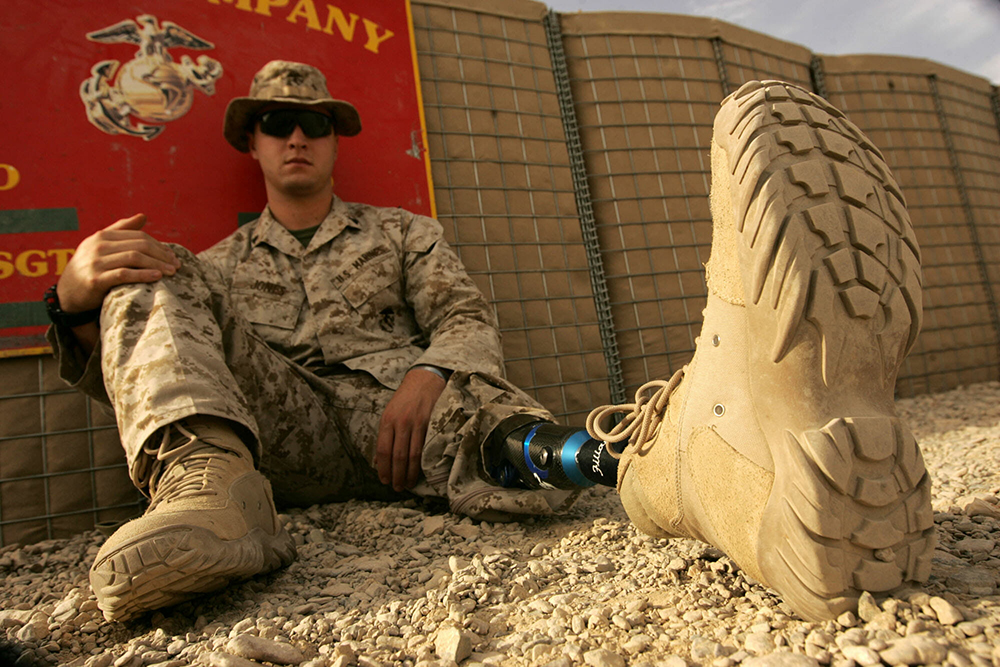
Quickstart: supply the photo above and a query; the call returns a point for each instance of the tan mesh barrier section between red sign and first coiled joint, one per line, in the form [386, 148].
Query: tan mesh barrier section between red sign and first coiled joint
[505, 193]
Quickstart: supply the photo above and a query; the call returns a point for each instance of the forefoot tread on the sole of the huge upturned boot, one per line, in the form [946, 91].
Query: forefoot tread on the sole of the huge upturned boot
[788, 140]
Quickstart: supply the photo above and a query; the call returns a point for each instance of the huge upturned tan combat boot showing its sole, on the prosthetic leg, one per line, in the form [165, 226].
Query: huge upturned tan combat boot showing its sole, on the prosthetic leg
[780, 443]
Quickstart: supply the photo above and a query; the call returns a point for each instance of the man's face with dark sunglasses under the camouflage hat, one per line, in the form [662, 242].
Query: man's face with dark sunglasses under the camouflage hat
[295, 165]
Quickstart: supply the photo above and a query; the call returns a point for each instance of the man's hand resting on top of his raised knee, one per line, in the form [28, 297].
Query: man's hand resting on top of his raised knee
[118, 254]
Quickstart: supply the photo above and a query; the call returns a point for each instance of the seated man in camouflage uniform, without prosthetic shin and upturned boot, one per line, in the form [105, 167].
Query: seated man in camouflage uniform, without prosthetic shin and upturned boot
[339, 348]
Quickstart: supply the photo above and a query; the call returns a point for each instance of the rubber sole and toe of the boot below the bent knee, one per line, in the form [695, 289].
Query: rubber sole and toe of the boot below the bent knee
[178, 563]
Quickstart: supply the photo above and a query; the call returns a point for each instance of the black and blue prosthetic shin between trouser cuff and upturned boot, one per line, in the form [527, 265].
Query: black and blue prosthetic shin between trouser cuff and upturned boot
[526, 452]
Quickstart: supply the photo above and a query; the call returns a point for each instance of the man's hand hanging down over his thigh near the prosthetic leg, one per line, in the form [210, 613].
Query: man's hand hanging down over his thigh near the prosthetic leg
[403, 428]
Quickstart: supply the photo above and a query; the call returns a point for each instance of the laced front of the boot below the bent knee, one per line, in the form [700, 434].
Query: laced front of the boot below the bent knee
[189, 469]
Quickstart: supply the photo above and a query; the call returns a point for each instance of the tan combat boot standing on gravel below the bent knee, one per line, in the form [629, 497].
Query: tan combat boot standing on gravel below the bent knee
[211, 520]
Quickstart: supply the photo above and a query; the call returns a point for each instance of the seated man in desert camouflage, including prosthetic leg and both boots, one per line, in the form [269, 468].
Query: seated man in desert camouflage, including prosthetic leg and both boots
[342, 351]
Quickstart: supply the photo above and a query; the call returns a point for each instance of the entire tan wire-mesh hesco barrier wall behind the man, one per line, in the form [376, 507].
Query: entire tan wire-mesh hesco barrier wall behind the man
[570, 164]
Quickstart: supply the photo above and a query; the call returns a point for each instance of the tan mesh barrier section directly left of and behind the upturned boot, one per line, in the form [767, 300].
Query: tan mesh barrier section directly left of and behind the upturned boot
[646, 88]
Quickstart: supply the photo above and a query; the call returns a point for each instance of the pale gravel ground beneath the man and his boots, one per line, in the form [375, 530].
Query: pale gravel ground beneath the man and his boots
[408, 584]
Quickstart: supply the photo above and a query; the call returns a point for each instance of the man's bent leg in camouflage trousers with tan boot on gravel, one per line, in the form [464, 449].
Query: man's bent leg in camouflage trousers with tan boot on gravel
[199, 397]
